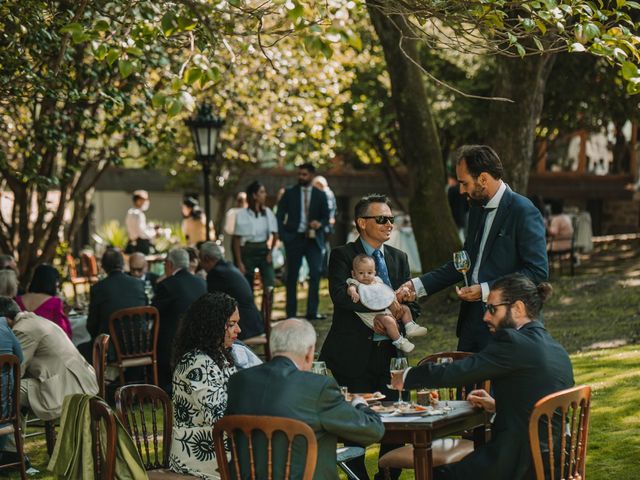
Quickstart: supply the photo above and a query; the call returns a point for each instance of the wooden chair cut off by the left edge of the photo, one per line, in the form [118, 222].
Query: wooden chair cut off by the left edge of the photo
[10, 407]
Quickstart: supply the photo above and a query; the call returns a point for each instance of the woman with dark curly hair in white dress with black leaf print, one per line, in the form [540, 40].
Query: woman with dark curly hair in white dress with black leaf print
[203, 365]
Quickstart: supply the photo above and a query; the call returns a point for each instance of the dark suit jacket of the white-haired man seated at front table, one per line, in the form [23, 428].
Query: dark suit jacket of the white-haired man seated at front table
[279, 389]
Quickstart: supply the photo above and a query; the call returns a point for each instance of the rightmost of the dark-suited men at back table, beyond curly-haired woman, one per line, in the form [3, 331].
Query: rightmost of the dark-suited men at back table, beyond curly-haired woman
[224, 277]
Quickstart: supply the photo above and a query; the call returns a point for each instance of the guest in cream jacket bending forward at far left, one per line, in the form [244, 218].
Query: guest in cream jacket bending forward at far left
[52, 367]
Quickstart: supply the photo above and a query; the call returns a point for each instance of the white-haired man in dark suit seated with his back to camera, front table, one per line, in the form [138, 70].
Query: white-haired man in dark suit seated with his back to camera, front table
[284, 387]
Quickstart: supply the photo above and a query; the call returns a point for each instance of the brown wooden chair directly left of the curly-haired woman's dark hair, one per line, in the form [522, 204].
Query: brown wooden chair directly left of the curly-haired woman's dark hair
[134, 333]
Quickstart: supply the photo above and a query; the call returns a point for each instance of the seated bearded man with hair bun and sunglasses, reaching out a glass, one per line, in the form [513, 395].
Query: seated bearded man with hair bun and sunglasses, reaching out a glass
[524, 364]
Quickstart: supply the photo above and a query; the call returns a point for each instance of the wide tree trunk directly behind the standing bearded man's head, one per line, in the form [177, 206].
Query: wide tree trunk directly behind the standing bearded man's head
[511, 126]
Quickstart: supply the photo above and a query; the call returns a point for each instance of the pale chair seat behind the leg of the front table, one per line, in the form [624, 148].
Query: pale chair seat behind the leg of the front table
[443, 451]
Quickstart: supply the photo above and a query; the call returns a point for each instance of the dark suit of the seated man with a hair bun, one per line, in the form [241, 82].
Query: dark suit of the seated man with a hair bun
[523, 366]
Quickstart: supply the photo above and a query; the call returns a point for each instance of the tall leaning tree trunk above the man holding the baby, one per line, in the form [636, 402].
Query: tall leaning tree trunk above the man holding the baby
[419, 146]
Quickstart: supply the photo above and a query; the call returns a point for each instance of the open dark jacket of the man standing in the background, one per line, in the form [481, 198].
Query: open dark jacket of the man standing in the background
[290, 209]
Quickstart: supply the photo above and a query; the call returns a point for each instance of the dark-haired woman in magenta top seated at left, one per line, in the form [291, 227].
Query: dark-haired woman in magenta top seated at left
[41, 297]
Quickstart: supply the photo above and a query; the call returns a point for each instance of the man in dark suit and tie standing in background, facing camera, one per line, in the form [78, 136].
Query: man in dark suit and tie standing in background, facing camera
[303, 214]
